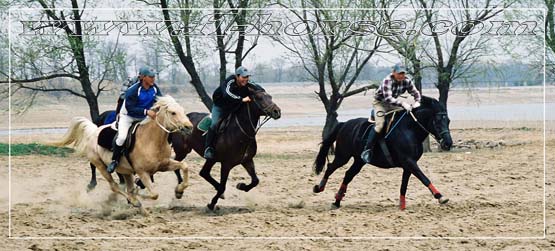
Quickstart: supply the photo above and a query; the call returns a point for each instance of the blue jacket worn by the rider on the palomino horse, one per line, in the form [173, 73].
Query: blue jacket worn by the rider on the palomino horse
[138, 100]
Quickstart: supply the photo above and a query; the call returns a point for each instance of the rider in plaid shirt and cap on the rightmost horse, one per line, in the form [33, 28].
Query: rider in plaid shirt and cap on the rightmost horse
[385, 100]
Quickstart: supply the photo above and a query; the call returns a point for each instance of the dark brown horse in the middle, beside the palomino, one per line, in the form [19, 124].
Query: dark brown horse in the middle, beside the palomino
[235, 145]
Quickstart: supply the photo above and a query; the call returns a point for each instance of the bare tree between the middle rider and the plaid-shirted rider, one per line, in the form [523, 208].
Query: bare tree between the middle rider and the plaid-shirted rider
[333, 55]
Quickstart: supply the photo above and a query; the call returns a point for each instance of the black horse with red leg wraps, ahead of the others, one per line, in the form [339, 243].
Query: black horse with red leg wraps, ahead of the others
[404, 143]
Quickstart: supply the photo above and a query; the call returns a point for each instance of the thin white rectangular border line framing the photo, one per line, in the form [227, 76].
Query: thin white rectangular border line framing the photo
[274, 237]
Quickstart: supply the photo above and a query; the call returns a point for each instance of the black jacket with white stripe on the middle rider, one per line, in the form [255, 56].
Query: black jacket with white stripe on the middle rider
[229, 95]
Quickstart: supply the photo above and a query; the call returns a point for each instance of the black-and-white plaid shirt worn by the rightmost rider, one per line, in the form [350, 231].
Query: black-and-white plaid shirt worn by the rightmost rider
[390, 89]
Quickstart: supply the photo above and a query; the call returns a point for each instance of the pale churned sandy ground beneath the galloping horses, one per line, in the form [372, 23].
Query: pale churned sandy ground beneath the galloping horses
[496, 200]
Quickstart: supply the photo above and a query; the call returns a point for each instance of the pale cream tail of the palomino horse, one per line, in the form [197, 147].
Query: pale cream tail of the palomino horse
[80, 131]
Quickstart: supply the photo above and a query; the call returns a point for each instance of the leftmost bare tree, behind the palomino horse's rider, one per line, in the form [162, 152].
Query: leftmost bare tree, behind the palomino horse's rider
[41, 59]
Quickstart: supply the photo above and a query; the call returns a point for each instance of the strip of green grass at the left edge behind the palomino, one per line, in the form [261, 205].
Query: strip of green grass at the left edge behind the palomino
[34, 149]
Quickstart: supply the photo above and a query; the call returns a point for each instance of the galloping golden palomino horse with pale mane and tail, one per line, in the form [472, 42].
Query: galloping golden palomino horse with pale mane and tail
[151, 153]
